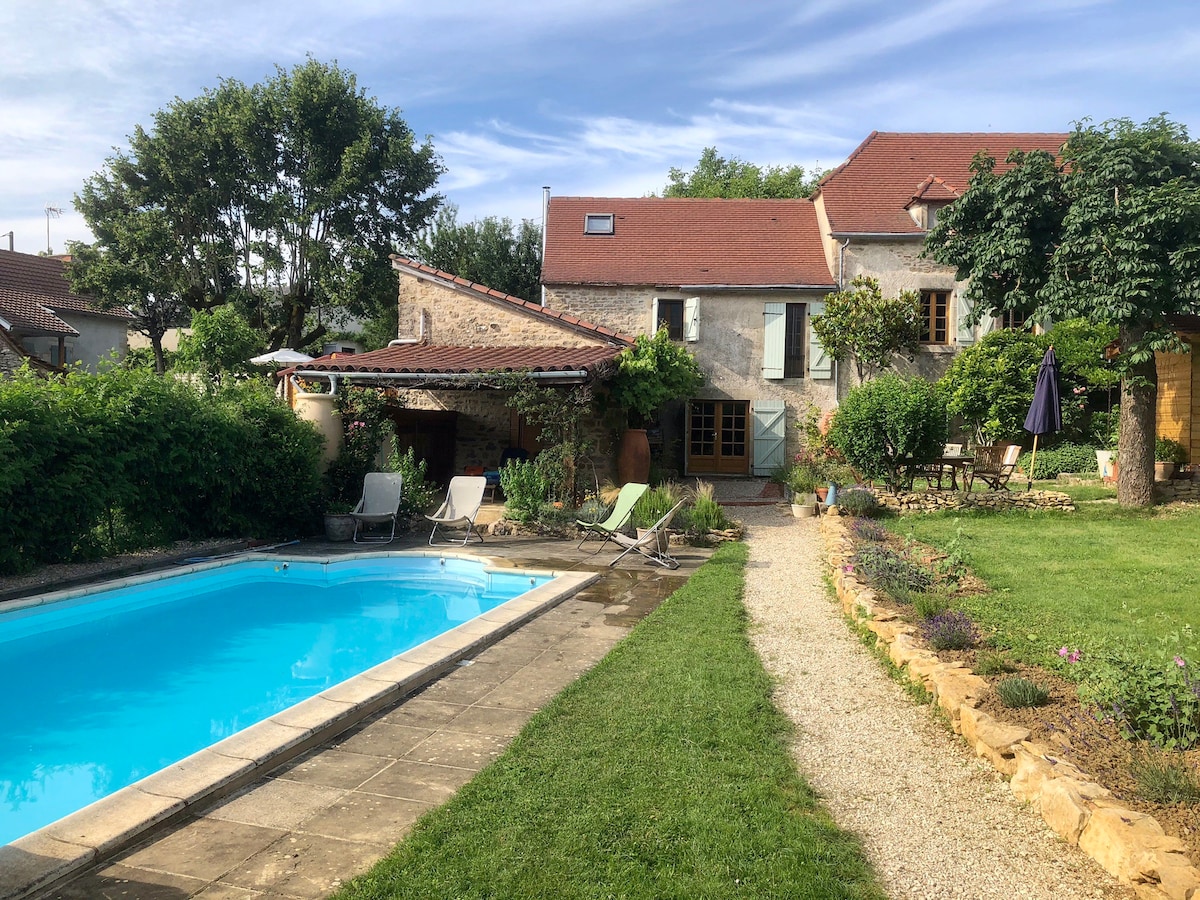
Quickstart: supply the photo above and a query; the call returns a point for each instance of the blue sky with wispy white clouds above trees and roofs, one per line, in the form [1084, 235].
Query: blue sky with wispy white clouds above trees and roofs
[591, 98]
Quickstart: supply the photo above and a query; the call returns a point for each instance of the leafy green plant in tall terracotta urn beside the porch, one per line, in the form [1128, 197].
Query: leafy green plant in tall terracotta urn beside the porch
[652, 373]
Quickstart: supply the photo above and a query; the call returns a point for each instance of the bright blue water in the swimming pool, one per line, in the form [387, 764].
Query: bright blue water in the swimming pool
[105, 689]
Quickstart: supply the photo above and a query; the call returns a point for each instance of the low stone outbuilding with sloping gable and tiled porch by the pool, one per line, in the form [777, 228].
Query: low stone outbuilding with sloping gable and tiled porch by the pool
[455, 337]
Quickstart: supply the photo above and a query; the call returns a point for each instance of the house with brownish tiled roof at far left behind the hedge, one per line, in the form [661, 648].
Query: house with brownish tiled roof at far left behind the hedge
[49, 322]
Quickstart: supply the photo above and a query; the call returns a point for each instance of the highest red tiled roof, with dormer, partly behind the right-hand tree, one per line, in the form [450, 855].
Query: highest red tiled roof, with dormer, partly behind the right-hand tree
[869, 193]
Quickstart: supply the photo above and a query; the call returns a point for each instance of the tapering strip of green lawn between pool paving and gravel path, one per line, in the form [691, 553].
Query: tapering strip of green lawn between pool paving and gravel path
[663, 773]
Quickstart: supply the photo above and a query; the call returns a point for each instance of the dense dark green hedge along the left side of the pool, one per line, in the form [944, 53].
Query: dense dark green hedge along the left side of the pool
[93, 465]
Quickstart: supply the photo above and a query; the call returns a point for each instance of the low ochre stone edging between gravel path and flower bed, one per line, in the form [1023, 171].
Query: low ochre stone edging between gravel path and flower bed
[1129, 844]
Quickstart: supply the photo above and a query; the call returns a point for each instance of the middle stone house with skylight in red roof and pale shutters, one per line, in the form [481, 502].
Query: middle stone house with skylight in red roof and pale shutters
[737, 281]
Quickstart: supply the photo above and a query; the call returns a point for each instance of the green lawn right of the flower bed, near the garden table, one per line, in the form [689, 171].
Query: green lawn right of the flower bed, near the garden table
[1100, 578]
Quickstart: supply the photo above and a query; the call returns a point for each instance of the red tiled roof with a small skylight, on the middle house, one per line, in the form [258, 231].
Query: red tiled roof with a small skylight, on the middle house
[685, 242]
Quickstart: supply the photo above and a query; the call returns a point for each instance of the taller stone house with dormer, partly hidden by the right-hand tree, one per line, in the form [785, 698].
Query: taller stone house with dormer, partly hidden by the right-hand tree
[878, 207]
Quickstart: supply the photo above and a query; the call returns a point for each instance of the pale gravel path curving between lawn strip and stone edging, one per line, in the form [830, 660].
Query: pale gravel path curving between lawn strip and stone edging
[937, 824]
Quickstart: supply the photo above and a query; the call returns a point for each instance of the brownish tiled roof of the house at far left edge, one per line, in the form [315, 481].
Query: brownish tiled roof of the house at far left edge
[33, 290]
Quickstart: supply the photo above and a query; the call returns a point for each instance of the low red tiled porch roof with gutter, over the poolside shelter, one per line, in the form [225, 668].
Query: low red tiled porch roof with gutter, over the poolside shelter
[424, 359]
